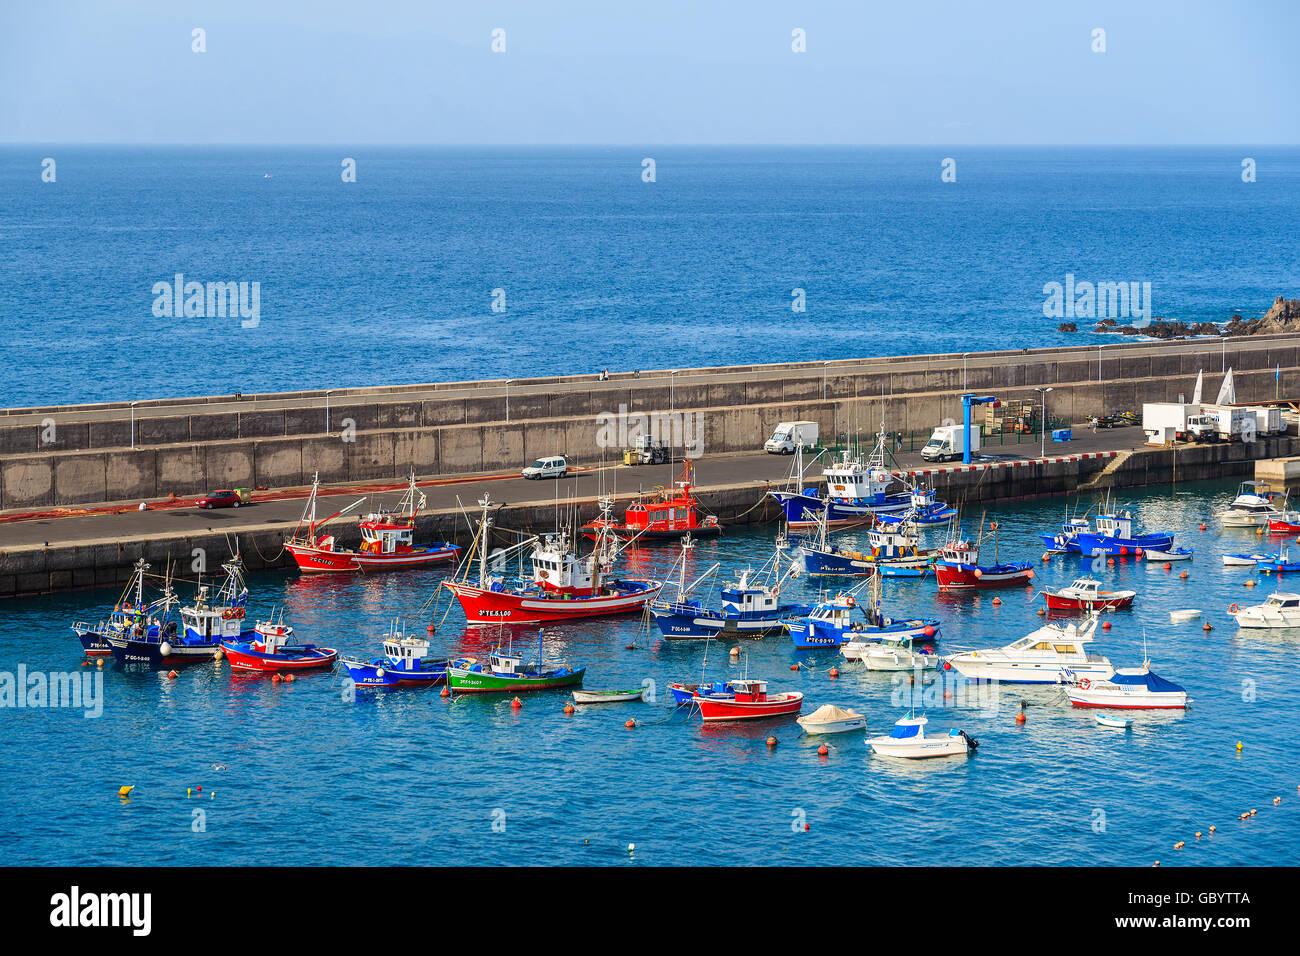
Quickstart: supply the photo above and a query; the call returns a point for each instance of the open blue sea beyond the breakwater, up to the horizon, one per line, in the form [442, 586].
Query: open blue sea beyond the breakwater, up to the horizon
[392, 279]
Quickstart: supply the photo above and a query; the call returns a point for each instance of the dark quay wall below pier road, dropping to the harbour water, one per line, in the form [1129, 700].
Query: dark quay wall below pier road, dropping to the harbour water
[34, 570]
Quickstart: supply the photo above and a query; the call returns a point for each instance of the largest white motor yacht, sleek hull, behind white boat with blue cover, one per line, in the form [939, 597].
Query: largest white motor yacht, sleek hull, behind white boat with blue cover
[1042, 657]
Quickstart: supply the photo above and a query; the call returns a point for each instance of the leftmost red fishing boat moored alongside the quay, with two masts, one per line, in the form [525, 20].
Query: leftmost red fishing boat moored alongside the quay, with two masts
[388, 539]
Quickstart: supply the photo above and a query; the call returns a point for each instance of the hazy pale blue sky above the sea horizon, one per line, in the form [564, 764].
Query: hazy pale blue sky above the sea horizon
[656, 72]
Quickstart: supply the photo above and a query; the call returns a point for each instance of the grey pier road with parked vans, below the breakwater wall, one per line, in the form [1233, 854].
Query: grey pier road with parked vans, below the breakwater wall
[730, 470]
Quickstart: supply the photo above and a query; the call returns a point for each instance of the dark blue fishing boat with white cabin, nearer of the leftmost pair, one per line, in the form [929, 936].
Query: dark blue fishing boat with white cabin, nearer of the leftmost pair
[210, 621]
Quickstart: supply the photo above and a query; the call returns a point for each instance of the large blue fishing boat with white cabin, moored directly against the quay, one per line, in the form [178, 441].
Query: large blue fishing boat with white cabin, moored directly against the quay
[857, 491]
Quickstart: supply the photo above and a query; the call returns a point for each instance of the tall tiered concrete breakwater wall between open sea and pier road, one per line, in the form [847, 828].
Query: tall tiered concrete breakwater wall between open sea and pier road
[84, 455]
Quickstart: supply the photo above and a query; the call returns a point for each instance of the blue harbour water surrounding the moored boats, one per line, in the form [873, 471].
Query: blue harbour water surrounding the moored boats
[408, 777]
